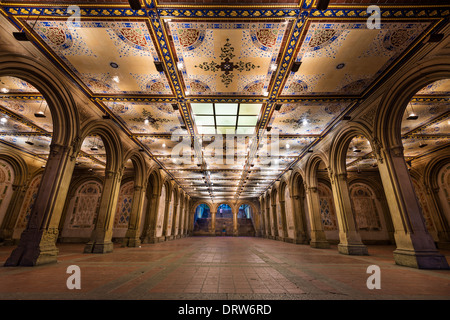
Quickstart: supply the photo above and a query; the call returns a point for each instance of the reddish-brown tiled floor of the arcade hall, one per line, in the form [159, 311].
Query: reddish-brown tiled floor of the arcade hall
[200, 268]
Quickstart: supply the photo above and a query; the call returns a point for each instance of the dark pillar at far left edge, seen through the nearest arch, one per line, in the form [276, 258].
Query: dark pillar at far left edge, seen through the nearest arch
[12, 214]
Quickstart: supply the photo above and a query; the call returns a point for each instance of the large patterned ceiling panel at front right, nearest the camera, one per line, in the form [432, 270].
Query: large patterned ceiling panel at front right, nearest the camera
[345, 58]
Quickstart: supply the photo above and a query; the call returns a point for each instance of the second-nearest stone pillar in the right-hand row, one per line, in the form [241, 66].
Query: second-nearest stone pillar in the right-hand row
[349, 238]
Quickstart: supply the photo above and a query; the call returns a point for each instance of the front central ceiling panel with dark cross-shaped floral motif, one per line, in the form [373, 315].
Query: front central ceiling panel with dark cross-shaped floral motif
[227, 58]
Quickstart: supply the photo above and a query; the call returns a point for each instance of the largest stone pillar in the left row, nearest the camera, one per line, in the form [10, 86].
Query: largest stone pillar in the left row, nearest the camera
[37, 244]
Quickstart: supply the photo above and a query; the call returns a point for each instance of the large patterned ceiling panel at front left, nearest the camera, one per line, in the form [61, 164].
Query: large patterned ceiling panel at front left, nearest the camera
[109, 57]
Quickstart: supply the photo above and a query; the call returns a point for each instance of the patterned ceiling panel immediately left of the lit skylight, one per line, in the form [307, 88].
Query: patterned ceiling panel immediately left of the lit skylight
[147, 118]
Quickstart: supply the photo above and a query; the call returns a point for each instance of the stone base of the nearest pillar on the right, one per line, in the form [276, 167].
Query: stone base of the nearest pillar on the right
[420, 259]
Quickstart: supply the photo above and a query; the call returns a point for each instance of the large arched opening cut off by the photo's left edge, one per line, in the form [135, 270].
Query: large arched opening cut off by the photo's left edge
[26, 129]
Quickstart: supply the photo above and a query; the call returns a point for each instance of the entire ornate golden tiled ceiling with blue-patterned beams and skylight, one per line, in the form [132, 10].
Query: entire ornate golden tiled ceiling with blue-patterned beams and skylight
[224, 68]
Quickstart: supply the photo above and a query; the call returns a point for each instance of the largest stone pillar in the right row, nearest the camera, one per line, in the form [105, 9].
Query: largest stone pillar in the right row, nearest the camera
[415, 246]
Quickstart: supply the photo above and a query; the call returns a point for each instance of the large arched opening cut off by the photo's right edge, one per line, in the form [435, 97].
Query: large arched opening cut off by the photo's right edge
[424, 135]
